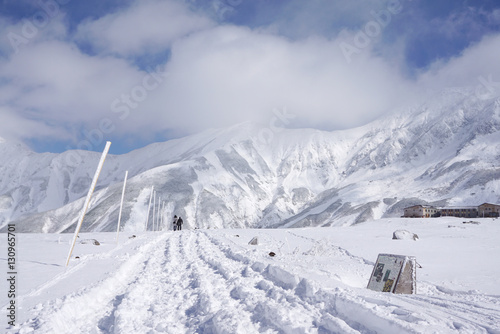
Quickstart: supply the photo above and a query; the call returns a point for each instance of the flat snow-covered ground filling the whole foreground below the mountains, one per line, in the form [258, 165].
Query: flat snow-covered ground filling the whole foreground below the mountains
[213, 281]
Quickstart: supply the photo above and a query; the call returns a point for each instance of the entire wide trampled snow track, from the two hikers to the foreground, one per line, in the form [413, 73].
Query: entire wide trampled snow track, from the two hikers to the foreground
[200, 282]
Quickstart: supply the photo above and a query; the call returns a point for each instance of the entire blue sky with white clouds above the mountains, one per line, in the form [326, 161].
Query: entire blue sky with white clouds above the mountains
[76, 73]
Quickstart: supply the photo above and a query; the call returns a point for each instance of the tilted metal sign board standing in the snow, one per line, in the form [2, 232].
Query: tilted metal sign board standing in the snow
[394, 273]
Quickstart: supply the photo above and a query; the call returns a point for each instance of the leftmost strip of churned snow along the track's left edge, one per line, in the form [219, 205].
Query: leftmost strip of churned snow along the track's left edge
[76, 312]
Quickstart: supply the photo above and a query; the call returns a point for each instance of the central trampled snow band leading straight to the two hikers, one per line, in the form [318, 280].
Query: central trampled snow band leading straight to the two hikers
[176, 293]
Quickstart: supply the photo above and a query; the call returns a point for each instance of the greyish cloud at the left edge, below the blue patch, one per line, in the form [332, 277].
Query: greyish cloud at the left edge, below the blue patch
[55, 83]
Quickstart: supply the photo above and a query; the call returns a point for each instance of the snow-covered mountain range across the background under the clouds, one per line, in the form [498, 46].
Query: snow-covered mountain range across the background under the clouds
[445, 151]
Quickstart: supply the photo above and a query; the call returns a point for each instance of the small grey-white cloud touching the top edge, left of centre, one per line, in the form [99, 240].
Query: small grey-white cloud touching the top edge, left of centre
[146, 26]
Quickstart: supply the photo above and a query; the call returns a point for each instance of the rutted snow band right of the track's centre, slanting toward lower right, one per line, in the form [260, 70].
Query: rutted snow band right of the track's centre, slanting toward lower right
[271, 294]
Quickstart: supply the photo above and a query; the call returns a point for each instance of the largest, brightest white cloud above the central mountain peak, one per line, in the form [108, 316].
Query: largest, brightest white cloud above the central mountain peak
[232, 74]
